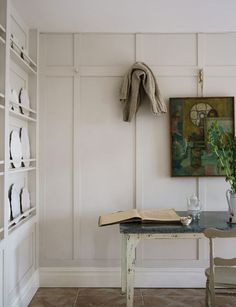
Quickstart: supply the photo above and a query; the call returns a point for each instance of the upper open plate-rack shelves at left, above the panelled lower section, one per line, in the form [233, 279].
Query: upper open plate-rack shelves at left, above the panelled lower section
[19, 52]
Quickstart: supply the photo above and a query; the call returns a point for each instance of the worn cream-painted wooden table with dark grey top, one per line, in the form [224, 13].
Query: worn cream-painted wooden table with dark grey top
[132, 233]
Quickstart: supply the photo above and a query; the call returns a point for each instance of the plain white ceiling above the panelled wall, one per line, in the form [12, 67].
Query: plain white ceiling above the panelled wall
[129, 16]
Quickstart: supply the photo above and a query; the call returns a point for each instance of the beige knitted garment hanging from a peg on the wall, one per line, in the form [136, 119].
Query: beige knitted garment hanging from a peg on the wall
[140, 81]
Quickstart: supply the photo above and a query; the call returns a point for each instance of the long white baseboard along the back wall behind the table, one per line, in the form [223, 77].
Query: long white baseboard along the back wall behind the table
[110, 277]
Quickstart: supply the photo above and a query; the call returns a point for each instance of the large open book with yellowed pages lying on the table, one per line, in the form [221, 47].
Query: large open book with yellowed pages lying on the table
[143, 216]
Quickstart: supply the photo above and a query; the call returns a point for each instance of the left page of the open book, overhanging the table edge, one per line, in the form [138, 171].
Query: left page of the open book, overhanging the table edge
[118, 217]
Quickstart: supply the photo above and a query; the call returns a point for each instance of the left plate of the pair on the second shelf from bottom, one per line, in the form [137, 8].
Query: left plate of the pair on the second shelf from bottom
[15, 149]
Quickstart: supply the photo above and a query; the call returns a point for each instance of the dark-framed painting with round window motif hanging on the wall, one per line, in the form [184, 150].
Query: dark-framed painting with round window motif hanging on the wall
[190, 119]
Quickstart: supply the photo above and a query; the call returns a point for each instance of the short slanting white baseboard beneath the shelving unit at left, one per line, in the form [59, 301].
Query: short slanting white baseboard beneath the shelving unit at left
[26, 293]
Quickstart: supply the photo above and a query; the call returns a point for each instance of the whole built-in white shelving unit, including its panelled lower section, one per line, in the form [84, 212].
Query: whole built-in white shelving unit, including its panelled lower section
[18, 70]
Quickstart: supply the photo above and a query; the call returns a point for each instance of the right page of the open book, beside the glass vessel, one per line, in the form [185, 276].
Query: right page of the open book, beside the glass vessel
[168, 215]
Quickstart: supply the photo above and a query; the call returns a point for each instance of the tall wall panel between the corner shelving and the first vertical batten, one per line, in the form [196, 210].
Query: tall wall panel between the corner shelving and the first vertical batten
[58, 181]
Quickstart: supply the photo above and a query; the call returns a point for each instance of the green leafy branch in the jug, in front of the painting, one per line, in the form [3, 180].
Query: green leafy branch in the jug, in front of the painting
[223, 144]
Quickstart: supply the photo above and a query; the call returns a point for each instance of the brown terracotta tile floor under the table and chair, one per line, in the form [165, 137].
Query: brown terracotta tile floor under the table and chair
[111, 297]
